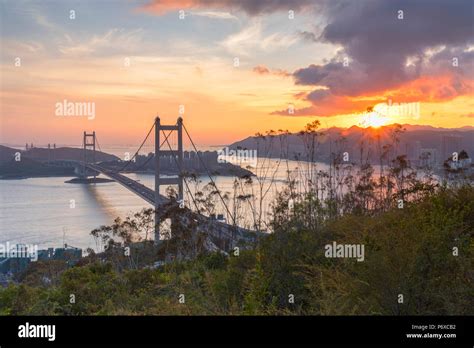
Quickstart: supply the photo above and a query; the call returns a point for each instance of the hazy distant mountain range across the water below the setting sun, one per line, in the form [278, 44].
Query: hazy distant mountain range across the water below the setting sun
[414, 141]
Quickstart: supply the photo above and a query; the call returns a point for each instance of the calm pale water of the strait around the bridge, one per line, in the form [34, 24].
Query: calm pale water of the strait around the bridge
[38, 210]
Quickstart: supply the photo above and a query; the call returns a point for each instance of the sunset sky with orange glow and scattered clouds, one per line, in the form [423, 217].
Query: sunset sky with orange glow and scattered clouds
[233, 68]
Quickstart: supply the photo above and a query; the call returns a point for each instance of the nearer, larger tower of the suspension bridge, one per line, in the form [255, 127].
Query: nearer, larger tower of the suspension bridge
[178, 155]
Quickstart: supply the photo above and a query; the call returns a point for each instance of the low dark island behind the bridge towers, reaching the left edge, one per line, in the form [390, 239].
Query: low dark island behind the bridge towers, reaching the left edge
[66, 162]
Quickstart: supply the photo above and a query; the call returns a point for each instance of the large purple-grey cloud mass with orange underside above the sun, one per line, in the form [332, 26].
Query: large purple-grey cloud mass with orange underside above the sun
[386, 53]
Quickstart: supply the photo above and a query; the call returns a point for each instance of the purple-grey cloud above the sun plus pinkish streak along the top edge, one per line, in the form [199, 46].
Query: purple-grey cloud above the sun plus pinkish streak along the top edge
[406, 58]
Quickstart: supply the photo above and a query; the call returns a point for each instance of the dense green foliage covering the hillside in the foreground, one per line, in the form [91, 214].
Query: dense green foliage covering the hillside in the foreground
[408, 251]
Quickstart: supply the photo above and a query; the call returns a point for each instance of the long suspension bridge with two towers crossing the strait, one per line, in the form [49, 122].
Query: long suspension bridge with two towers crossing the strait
[221, 235]
